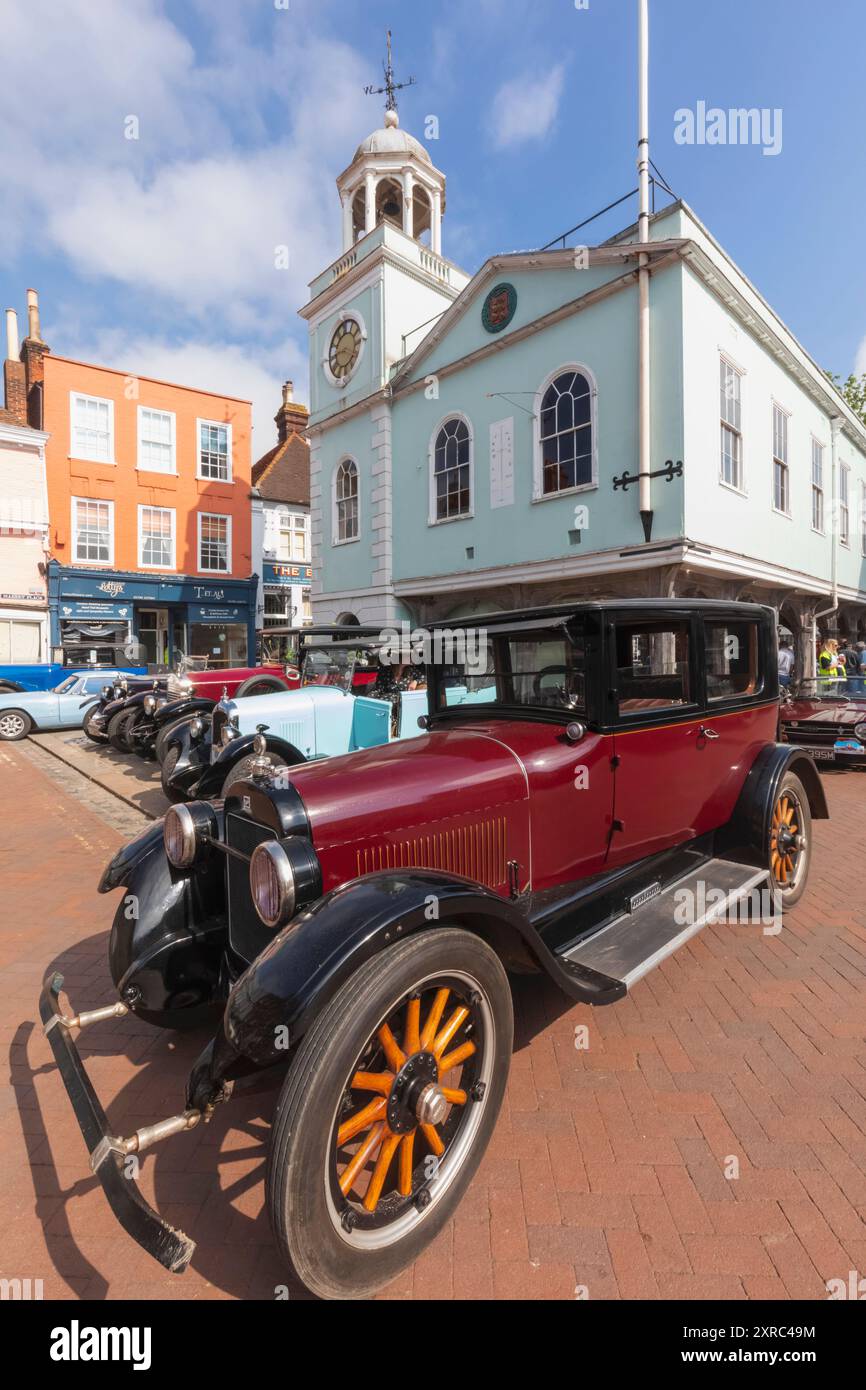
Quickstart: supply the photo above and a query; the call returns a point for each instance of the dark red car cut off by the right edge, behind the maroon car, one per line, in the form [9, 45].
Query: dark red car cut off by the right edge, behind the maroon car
[828, 718]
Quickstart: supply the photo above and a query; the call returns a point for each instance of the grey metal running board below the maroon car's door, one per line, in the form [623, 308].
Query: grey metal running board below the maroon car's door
[637, 942]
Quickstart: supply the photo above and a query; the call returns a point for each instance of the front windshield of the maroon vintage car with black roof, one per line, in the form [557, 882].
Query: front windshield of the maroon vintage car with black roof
[537, 671]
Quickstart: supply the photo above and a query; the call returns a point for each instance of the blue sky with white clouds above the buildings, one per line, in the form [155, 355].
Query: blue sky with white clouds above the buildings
[187, 251]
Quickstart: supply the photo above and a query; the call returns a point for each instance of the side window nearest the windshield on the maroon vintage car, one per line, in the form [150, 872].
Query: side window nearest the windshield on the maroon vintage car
[653, 667]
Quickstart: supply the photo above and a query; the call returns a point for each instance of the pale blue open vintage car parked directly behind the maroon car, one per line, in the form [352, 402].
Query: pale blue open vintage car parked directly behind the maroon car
[348, 700]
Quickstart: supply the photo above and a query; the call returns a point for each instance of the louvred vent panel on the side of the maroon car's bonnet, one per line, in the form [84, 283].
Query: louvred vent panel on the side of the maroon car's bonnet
[476, 851]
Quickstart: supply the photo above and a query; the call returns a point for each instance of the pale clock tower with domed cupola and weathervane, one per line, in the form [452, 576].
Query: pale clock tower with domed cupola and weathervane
[368, 312]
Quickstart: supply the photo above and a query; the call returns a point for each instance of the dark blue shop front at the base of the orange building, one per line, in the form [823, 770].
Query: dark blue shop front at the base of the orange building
[129, 616]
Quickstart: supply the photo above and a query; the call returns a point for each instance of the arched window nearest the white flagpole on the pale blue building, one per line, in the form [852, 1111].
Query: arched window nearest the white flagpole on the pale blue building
[566, 444]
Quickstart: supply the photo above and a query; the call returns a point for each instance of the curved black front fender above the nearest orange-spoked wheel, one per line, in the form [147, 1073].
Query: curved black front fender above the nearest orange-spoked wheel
[300, 972]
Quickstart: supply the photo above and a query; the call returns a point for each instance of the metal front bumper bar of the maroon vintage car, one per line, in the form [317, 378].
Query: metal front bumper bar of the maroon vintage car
[172, 1248]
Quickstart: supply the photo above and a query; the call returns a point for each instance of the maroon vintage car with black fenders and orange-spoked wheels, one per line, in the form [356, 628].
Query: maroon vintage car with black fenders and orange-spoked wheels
[596, 785]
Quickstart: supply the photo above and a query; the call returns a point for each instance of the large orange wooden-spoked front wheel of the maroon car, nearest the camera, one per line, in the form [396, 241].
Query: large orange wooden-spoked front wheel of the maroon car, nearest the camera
[387, 1111]
